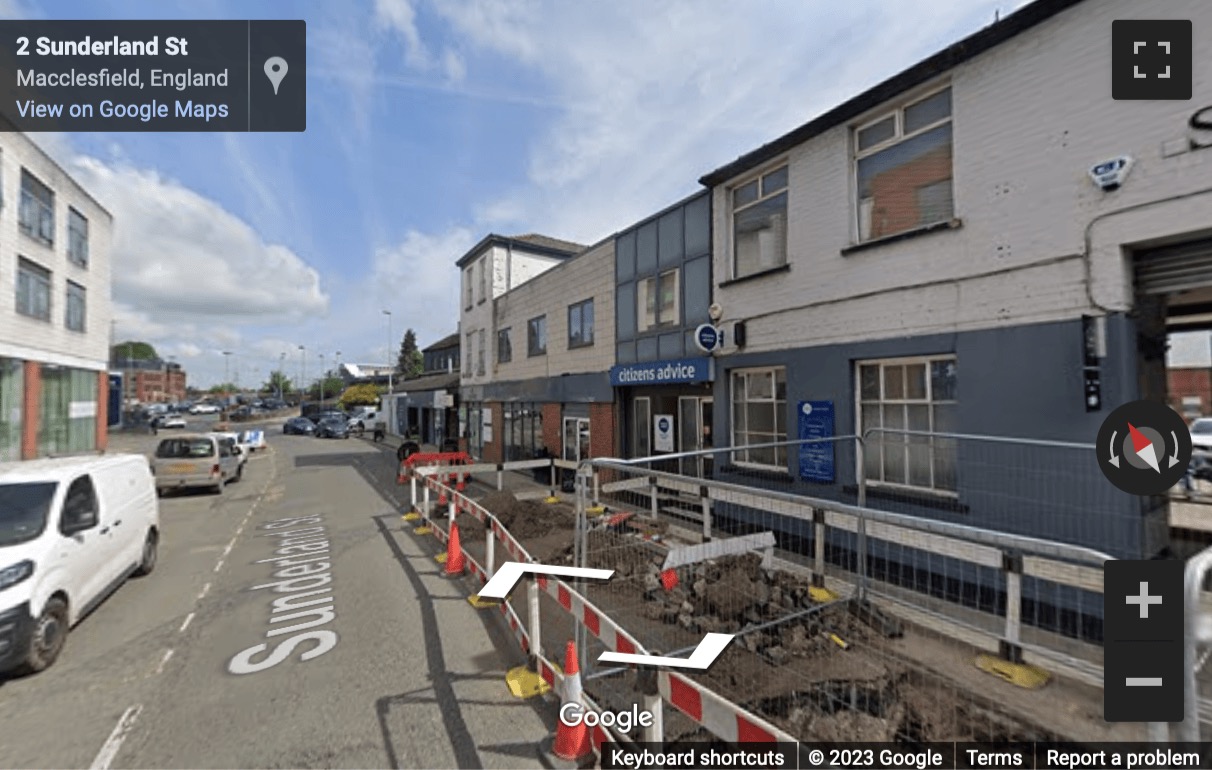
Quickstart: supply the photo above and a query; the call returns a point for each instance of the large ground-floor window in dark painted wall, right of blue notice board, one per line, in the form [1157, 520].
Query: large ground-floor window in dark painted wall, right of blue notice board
[910, 396]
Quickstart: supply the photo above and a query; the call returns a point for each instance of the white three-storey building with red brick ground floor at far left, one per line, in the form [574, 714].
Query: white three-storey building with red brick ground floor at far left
[55, 307]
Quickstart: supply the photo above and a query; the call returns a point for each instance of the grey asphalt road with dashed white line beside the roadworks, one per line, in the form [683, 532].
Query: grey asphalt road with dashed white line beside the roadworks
[168, 672]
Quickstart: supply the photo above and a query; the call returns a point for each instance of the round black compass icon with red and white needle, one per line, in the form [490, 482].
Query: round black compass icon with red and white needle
[1144, 448]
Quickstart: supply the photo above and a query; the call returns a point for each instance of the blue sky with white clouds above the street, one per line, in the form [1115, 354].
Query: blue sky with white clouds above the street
[433, 123]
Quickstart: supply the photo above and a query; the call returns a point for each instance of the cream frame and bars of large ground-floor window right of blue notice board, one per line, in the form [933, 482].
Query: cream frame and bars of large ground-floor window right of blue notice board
[878, 448]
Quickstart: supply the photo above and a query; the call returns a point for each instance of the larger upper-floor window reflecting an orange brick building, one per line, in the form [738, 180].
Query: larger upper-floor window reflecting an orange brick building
[904, 168]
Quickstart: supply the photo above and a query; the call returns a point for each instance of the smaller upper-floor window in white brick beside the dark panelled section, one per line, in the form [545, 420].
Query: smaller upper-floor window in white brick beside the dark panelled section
[759, 224]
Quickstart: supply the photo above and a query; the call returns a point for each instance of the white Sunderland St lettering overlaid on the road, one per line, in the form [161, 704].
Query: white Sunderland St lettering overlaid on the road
[307, 574]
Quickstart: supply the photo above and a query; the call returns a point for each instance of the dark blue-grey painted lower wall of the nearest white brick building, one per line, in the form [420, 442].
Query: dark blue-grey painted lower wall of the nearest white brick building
[1022, 381]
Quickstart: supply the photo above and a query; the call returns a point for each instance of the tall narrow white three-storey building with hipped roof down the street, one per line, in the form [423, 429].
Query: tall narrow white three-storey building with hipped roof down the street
[489, 270]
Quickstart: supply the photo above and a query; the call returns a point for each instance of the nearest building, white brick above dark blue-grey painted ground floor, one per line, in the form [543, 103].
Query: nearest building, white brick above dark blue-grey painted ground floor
[923, 256]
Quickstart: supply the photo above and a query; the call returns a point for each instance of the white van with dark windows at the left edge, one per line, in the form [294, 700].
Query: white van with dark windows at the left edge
[72, 531]
